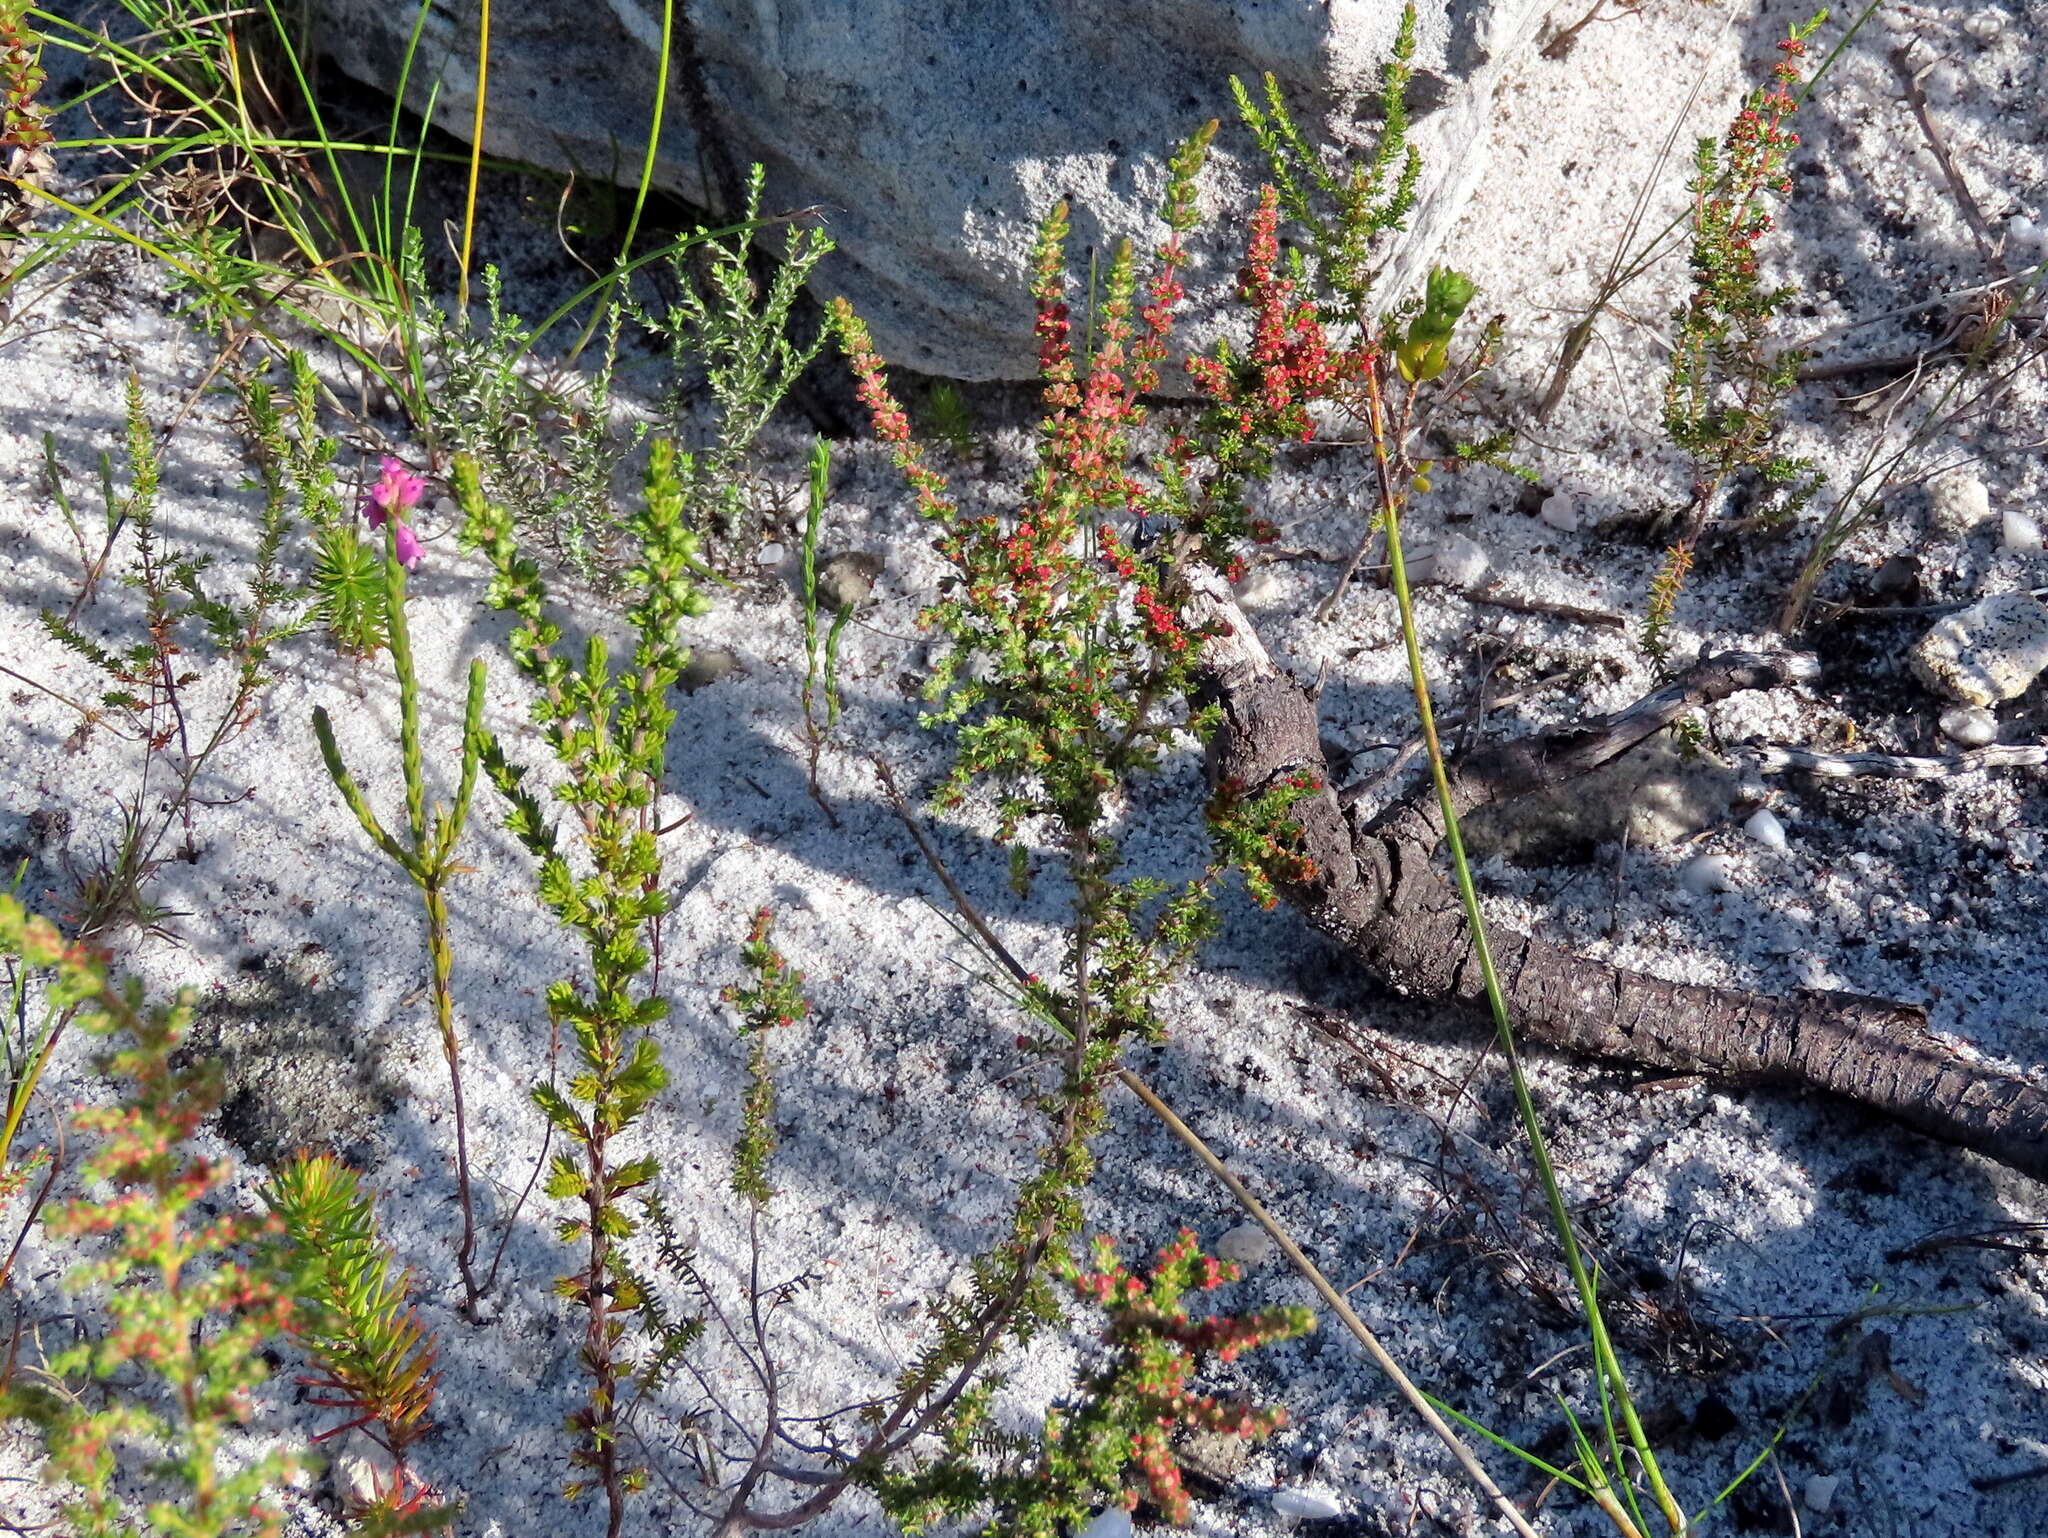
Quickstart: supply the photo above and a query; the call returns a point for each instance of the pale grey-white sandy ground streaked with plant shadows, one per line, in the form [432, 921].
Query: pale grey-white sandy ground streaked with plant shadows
[1738, 1230]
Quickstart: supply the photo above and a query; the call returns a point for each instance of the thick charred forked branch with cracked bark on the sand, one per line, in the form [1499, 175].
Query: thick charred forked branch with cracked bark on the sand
[1383, 900]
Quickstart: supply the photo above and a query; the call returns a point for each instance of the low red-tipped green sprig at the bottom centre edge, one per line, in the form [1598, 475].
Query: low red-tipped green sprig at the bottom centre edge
[1119, 1420]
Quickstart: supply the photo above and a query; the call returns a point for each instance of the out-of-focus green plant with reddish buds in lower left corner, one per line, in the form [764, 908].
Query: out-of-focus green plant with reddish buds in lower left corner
[183, 1310]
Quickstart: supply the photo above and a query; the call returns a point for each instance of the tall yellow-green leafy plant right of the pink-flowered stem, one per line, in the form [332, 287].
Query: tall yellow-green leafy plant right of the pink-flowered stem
[609, 732]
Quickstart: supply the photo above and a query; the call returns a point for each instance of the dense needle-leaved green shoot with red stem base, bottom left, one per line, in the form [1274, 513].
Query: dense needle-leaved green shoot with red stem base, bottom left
[351, 1316]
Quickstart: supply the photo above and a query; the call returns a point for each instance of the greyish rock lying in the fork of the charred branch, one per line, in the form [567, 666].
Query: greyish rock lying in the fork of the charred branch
[1656, 796]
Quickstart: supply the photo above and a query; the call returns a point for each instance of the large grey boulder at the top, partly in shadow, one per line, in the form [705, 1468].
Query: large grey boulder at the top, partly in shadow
[937, 134]
